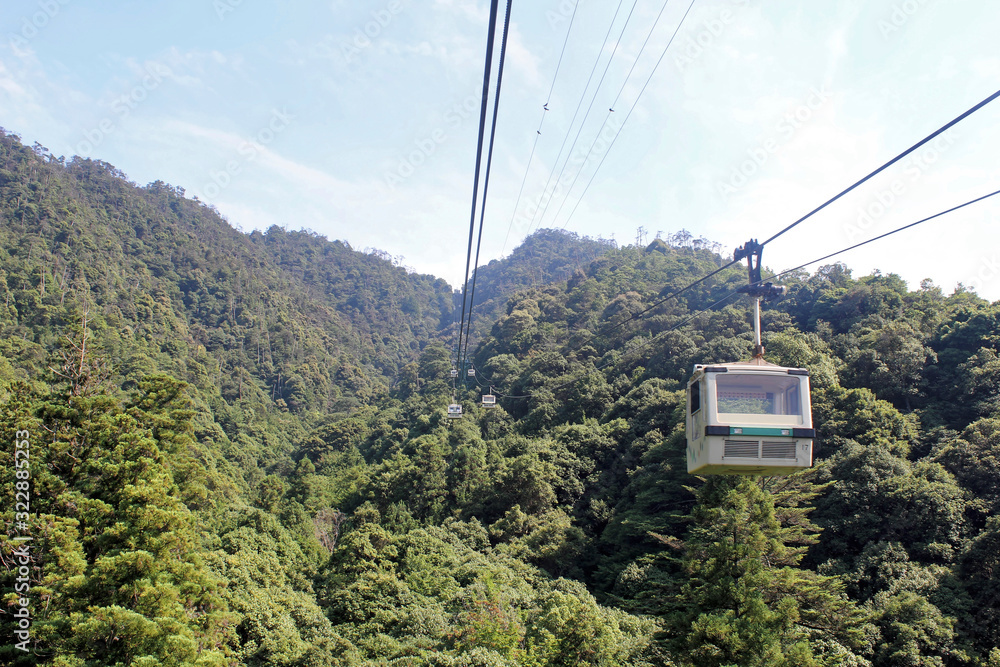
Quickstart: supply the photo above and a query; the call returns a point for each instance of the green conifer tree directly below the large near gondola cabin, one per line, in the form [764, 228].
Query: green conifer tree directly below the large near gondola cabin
[745, 601]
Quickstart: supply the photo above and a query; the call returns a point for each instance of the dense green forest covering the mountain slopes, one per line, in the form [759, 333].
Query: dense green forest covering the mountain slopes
[239, 453]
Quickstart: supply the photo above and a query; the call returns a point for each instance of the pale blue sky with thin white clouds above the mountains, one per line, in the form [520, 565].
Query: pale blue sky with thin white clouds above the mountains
[358, 119]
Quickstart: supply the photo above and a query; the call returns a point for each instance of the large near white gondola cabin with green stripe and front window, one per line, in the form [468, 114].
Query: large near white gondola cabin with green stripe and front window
[749, 418]
